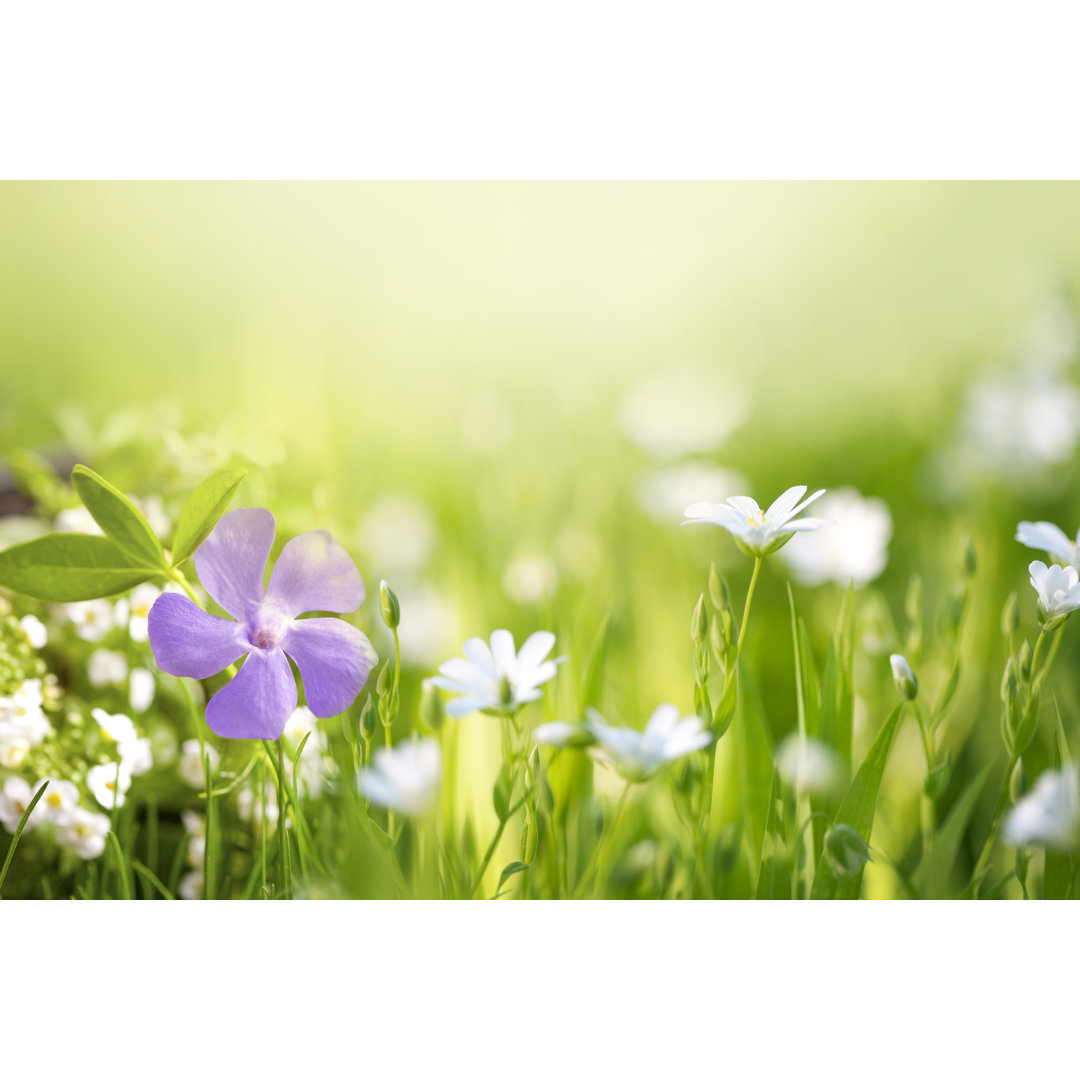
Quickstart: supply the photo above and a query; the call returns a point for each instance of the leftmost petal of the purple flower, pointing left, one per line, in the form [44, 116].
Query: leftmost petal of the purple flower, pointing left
[188, 642]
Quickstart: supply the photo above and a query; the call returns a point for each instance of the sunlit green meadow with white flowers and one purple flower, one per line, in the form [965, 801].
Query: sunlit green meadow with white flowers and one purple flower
[469, 423]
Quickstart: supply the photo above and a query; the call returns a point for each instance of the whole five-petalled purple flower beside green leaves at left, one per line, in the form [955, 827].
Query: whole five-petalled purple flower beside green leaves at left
[313, 574]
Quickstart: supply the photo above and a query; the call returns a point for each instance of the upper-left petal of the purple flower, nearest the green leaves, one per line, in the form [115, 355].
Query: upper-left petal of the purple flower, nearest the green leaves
[233, 561]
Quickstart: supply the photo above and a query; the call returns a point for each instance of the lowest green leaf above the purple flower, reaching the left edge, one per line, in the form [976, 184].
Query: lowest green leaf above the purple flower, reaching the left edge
[63, 568]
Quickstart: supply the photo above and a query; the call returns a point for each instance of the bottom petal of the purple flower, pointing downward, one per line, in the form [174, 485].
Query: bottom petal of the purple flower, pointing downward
[259, 701]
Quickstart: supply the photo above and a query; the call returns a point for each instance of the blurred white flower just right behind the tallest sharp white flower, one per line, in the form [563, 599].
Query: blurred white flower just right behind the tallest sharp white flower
[856, 550]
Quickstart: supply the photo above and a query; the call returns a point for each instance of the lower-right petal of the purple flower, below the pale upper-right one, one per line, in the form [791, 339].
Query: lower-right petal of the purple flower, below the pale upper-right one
[335, 660]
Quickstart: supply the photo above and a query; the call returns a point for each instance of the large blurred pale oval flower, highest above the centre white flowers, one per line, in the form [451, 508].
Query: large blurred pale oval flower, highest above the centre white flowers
[679, 412]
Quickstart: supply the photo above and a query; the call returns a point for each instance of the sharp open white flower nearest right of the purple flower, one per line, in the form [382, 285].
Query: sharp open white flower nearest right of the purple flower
[496, 680]
